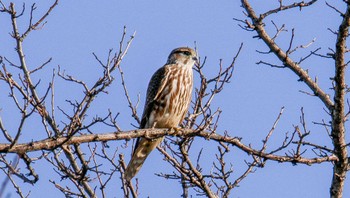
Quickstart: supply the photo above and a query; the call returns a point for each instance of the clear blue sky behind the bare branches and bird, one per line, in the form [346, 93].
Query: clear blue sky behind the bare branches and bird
[250, 103]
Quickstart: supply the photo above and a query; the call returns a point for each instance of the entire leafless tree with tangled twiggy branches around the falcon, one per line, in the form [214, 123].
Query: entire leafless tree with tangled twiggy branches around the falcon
[81, 154]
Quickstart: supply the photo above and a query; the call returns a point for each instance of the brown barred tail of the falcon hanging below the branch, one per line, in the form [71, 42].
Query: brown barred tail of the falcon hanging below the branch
[143, 149]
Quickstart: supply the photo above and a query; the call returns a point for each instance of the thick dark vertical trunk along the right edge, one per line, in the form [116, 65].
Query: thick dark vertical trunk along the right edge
[338, 114]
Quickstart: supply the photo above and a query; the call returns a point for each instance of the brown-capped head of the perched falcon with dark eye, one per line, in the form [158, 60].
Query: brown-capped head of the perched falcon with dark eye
[183, 55]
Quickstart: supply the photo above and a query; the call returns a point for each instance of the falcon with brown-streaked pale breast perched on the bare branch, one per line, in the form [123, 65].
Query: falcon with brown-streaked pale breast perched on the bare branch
[168, 99]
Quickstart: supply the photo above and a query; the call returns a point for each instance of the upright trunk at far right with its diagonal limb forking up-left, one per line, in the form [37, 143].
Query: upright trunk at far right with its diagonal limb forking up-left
[335, 107]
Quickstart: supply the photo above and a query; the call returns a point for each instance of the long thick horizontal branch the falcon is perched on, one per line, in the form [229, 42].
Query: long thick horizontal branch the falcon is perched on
[50, 144]
